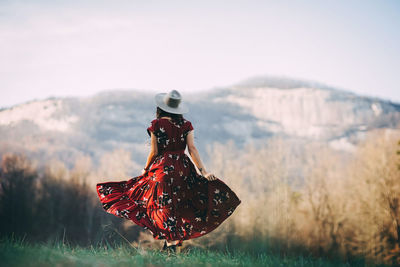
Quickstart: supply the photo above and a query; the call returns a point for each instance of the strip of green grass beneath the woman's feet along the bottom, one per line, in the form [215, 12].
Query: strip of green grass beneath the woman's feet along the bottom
[17, 252]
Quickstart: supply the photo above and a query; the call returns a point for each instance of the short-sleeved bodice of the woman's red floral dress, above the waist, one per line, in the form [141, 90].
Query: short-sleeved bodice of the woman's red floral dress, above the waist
[171, 136]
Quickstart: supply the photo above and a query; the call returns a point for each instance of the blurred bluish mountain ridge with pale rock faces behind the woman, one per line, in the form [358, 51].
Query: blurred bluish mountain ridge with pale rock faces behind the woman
[250, 111]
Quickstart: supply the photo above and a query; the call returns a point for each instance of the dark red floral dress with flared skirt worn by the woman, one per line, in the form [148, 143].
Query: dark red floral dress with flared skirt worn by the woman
[171, 199]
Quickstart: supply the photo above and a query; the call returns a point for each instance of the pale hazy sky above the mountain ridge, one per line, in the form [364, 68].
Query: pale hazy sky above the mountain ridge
[64, 48]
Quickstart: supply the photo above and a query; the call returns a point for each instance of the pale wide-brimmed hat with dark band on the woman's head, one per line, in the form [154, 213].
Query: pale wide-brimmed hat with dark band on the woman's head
[171, 102]
